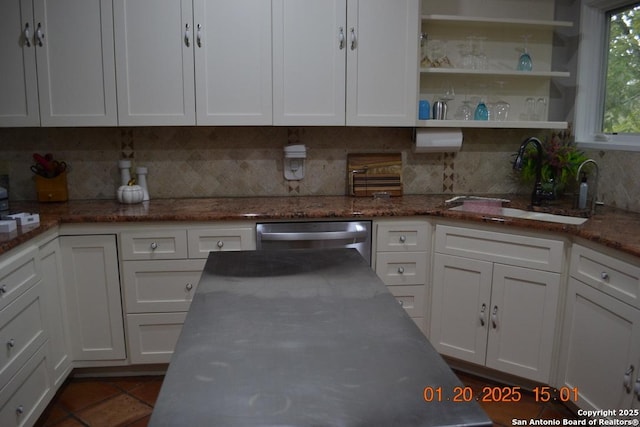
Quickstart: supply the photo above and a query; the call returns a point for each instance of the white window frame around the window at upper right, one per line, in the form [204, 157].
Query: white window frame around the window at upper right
[591, 76]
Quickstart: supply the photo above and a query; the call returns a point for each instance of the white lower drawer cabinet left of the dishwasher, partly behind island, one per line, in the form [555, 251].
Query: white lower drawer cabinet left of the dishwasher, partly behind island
[161, 268]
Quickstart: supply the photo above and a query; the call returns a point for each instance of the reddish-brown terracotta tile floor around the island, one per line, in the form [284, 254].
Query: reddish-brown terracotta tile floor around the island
[128, 401]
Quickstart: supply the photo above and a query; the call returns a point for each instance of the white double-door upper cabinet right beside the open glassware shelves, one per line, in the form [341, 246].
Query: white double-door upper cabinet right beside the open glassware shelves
[338, 62]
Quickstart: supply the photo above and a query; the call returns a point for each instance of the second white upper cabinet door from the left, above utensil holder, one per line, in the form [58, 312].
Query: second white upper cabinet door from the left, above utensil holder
[76, 74]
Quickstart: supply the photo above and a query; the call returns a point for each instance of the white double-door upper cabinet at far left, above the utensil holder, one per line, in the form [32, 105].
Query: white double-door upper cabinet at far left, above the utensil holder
[72, 42]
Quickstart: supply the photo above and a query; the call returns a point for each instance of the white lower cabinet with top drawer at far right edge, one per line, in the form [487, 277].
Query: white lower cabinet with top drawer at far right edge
[600, 351]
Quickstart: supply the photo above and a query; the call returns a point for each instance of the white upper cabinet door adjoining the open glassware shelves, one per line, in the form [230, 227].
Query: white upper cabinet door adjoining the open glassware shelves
[382, 62]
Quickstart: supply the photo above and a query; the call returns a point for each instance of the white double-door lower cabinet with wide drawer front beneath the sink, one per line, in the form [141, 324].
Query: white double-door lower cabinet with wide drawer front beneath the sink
[493, 314]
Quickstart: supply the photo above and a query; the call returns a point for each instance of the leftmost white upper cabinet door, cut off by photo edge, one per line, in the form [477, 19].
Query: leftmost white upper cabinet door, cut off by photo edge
[18, 85]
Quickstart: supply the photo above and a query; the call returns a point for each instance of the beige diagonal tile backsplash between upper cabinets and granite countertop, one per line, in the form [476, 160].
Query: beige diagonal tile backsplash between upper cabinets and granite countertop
[248, 161]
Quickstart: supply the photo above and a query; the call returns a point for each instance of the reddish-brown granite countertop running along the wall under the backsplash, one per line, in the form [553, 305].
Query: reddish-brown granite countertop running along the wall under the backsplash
[611, 227]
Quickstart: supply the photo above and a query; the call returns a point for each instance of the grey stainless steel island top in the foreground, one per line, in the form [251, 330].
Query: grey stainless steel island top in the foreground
[303, 338]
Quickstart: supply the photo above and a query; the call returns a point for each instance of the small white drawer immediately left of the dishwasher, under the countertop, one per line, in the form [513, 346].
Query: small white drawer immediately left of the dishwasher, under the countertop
[205, 240]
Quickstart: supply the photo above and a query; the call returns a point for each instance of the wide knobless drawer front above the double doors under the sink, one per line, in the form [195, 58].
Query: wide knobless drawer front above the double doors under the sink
[511, 249]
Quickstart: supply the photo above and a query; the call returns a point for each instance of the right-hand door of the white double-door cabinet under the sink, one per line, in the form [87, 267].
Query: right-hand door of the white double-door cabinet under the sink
[522, 321]
